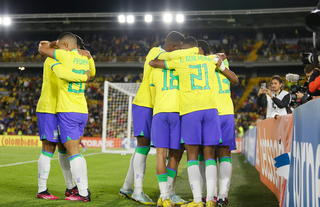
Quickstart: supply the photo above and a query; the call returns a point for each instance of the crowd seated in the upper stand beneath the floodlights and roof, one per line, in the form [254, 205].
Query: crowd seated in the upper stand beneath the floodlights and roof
[104, 47]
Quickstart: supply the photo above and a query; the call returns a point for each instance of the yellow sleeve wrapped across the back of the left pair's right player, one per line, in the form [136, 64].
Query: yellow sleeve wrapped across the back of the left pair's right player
[67, 75]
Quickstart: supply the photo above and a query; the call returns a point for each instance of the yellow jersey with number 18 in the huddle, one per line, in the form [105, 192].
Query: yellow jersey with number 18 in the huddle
[164, 90]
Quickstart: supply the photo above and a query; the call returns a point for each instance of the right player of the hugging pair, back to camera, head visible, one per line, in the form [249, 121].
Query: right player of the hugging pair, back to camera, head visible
[72, 108]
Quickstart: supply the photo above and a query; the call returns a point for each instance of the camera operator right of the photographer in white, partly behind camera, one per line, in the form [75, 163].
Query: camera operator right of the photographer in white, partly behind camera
[304, 98]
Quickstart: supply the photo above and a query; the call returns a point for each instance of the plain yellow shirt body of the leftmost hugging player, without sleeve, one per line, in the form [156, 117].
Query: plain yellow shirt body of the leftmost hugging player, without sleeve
[48, 99]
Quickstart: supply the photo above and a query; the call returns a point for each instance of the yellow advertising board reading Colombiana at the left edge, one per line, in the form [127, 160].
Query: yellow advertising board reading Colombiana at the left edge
[20, 141]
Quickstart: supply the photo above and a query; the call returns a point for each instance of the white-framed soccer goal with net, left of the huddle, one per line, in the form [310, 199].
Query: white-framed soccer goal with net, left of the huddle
[117, 128]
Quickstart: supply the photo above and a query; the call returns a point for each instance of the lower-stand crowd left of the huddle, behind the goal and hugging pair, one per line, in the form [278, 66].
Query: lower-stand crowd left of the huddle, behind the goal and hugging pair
[19, 117]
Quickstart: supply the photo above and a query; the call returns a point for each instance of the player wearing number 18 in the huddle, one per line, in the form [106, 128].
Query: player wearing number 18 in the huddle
[165, 130]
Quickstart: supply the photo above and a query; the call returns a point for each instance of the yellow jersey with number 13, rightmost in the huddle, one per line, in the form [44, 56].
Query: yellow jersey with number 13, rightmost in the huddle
[223, 93]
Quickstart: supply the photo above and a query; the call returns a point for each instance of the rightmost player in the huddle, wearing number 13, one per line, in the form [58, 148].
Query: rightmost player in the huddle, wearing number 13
[226, 116]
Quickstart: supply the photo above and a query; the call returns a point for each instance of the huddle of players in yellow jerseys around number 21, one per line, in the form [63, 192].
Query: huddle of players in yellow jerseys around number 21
[184, 102]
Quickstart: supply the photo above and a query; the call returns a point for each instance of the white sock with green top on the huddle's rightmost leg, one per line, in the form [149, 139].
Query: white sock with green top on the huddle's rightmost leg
[224, 176]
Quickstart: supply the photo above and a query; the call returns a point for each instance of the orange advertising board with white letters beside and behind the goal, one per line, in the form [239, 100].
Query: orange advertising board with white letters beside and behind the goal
[94, 142]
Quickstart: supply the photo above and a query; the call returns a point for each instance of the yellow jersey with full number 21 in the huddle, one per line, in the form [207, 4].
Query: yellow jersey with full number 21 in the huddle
[196, 79]
